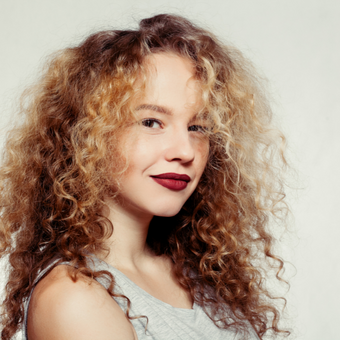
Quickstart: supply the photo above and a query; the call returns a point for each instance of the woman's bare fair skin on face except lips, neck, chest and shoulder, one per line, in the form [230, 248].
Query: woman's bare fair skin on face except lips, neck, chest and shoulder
[167, 137]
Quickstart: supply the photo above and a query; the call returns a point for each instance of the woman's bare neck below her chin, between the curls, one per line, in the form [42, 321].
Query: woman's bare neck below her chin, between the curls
[127, 244]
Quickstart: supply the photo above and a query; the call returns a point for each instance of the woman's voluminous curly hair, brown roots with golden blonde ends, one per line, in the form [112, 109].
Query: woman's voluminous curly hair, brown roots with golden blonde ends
[59, 164]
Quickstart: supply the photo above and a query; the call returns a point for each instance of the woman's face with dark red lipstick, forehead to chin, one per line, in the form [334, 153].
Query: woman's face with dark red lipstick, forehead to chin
[166, 147]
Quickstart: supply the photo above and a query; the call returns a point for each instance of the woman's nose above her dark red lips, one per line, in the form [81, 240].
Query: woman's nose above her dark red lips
[179, 147]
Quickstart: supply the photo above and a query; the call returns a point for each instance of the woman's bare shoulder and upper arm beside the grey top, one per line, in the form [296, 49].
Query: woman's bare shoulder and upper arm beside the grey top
[64, 310]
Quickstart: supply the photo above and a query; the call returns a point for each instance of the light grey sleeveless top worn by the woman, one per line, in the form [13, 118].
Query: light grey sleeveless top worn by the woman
[165, 321]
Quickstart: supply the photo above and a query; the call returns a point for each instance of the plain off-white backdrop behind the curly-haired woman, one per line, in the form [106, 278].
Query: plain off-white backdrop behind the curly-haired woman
[295, 44]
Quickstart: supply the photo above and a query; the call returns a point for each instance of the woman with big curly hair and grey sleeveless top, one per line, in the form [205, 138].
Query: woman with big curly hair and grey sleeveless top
[136, 195]
